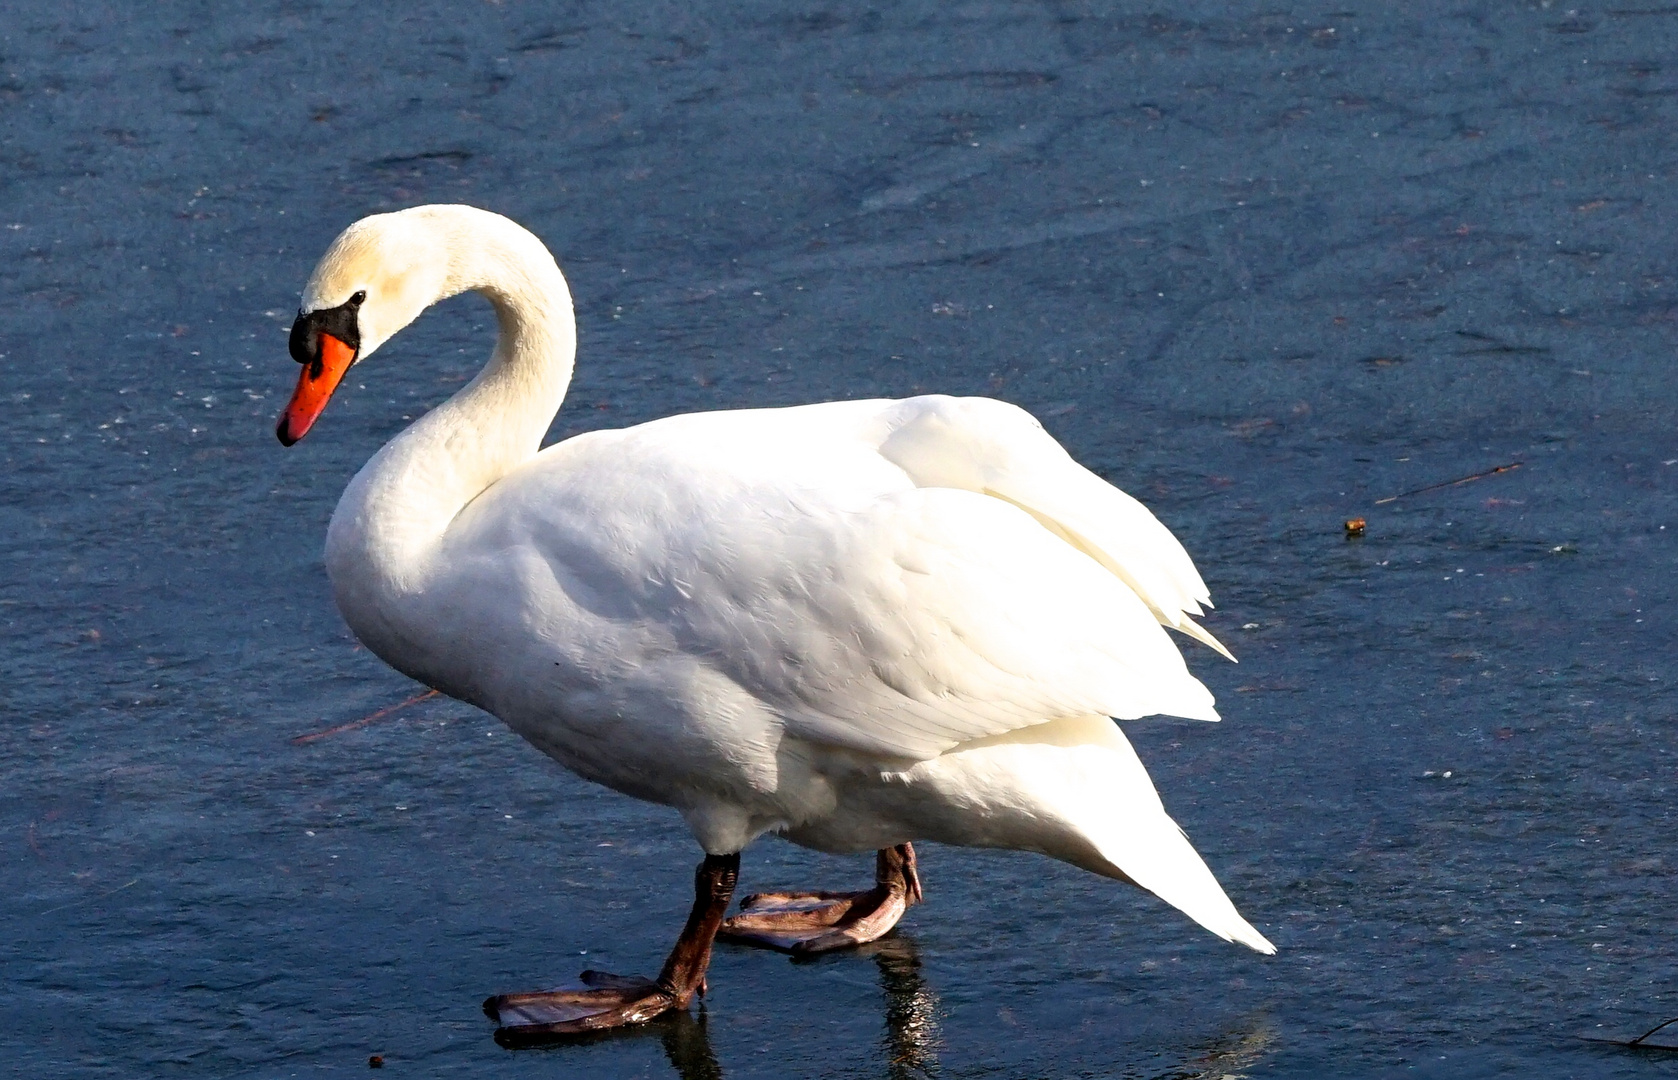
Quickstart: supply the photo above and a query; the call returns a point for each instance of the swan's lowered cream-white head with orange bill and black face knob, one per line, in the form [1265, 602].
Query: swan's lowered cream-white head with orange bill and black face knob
[375, 279]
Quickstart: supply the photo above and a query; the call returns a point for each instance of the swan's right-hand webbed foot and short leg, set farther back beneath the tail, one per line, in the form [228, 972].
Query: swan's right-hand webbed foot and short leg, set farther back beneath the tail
[820, 922]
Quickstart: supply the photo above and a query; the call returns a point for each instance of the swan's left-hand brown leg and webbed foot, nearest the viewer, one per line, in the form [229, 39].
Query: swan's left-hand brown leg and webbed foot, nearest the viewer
[615, 1000]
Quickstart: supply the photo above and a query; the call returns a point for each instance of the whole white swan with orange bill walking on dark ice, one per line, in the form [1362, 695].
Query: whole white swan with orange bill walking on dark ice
[857, 625]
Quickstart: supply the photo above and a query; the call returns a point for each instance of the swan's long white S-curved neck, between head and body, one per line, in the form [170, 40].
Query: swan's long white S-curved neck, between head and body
[392, 519]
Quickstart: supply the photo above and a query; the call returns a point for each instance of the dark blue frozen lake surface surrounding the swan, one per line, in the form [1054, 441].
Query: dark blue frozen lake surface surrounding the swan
[1259, 269]
